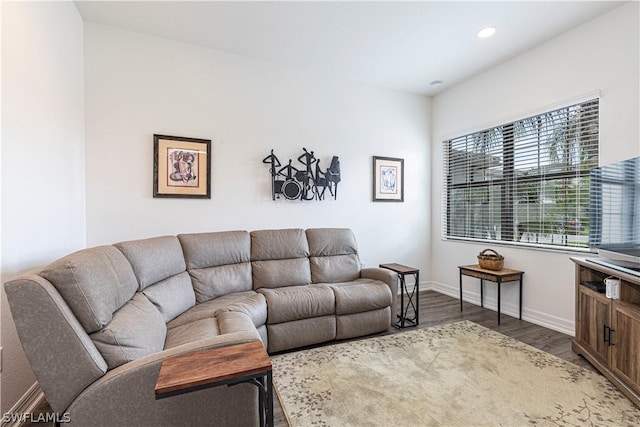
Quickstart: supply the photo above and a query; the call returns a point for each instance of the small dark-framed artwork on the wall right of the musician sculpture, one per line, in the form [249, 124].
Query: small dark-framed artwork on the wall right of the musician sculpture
[388, 179]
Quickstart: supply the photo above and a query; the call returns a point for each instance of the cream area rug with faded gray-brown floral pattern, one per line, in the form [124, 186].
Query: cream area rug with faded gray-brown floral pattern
[460, 374]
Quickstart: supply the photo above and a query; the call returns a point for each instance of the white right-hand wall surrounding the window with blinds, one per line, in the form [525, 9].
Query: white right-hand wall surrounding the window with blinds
[603, 55]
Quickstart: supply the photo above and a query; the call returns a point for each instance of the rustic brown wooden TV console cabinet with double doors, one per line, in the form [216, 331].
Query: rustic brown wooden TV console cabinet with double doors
[608, 330]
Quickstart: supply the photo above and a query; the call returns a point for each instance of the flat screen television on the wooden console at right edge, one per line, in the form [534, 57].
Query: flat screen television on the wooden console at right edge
[614, 215]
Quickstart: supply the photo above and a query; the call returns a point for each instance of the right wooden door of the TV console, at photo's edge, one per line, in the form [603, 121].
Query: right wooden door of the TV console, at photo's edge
[625, 349]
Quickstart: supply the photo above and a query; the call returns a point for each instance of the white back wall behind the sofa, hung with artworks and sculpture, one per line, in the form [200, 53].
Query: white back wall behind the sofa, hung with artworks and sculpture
[138, 85]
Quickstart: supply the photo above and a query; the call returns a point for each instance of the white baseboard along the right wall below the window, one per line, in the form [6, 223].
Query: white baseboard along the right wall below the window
[539, 318]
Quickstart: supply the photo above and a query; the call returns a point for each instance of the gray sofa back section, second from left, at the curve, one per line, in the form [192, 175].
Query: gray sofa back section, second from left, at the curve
[159, 266]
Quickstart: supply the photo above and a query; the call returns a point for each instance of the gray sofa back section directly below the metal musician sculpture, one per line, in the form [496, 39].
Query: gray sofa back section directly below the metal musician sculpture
[279, 258]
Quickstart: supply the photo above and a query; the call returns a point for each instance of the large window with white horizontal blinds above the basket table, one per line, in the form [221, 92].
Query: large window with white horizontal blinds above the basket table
[525, 182]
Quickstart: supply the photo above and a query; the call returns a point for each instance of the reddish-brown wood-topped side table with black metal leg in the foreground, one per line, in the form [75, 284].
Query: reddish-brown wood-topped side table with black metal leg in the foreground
[235, 364]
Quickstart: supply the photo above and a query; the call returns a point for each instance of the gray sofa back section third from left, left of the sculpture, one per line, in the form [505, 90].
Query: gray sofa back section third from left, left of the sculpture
[218, 263]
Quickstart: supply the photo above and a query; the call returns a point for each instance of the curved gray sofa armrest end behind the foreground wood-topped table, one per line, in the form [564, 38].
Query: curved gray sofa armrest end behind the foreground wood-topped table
[126, 395]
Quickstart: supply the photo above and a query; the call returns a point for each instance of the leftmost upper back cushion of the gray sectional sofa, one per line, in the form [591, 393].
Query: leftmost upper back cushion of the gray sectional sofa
[94, 283]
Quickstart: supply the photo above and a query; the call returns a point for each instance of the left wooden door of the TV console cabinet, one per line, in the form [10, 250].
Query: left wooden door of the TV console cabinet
[593, 316]
